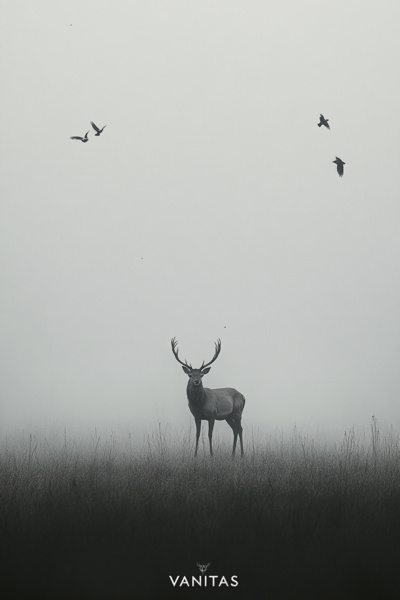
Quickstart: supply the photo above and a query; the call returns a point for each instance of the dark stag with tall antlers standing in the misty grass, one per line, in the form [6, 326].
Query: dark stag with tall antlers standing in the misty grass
[205, 404]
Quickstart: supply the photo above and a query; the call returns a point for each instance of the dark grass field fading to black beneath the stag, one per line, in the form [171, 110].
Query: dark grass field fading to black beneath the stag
[109, 519]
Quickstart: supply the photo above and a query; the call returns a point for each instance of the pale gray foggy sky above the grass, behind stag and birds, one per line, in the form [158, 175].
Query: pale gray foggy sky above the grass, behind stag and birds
[209, 207]
